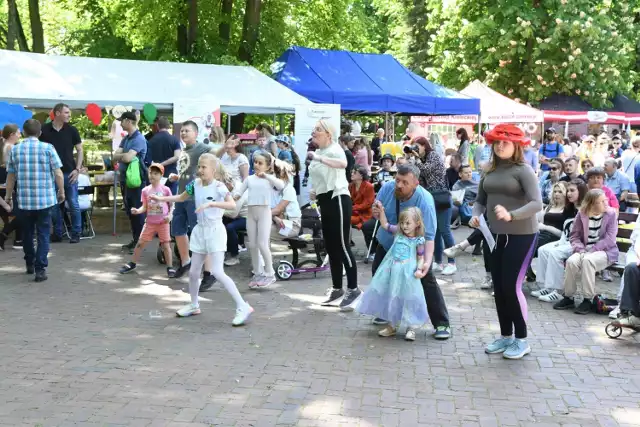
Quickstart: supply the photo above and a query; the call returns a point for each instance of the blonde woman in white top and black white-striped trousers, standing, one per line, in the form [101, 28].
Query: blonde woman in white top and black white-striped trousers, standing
[331, 189]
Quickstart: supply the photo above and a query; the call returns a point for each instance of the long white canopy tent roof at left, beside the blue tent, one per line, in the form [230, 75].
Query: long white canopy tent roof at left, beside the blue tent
[40, 81]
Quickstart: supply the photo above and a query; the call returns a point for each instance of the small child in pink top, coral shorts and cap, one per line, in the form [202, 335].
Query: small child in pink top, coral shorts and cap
[159, 216]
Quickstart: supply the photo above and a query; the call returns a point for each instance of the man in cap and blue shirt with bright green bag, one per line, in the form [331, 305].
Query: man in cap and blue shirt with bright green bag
[133, 146]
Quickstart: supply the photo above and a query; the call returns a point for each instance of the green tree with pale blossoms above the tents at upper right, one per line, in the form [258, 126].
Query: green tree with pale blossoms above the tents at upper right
[577, 47]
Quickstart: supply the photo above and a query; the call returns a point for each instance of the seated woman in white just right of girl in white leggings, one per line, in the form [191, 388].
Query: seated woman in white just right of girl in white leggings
[285, 210]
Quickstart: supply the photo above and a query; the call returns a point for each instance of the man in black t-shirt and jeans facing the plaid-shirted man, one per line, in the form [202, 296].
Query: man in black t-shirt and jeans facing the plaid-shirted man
[64, 138]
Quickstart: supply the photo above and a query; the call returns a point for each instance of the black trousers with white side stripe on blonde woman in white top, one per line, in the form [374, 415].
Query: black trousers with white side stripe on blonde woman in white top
[336, 231]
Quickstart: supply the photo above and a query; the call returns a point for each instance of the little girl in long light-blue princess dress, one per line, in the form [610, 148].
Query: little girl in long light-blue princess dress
[395, 293]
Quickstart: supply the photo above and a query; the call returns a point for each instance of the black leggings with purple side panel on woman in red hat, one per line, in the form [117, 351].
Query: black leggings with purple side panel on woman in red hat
[509, 262]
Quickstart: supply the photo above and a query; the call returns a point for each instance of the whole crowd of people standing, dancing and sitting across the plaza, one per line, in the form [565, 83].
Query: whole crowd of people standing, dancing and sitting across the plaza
[558, 202]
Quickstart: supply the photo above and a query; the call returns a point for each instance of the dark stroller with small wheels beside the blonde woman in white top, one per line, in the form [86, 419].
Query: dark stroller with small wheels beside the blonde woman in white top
[311, 220]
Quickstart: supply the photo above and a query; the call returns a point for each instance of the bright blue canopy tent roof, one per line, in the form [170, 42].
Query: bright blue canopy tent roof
[368, 83]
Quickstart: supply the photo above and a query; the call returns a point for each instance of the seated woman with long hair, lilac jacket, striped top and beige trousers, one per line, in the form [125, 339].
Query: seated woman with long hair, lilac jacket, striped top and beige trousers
[593, 243]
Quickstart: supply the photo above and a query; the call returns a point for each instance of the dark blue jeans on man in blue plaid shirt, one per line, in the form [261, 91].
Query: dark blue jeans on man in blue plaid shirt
[38, 222]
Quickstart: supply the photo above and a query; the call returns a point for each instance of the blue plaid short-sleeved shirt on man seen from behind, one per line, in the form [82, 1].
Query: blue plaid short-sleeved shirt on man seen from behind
[34, 163]
